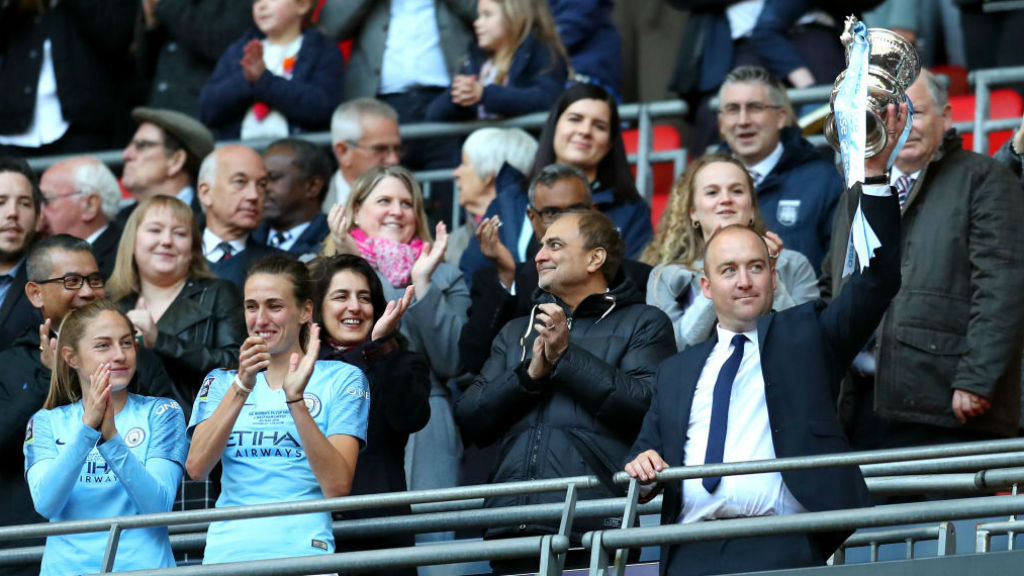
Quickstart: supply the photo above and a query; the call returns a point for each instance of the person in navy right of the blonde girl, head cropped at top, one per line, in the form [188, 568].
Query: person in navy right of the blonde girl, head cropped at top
[593, 42]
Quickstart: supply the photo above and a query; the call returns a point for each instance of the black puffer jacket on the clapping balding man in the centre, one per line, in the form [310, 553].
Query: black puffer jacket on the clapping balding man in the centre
[581, 420]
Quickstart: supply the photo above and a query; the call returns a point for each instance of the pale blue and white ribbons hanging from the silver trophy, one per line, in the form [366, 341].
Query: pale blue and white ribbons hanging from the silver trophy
[850, 108]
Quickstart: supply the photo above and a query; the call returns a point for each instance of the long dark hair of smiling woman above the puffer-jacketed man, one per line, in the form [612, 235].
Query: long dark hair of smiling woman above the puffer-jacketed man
[614, 171]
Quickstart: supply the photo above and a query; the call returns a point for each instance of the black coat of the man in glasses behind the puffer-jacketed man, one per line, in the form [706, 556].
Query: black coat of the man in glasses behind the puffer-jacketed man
[493, 307]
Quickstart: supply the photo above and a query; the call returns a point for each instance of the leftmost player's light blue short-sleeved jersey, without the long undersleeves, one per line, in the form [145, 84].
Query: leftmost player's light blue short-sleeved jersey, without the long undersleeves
[151, 428]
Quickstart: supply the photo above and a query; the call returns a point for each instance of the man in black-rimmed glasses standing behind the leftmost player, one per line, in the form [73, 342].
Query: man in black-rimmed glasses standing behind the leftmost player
[26, 380]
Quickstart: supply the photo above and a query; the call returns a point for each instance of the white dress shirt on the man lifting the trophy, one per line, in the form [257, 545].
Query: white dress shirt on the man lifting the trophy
[748, 438]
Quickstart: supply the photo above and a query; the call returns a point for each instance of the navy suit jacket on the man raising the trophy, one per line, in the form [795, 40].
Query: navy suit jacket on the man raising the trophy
[800, 392]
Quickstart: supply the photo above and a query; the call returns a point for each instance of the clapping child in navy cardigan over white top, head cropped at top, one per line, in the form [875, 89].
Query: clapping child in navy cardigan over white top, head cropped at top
[282, 79]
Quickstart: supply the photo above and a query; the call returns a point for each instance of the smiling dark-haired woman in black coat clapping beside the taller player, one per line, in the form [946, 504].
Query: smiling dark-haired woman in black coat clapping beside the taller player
[363, 331]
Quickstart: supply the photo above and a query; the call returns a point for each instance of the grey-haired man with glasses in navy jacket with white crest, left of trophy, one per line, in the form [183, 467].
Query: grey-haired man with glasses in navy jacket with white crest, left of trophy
[797, 188]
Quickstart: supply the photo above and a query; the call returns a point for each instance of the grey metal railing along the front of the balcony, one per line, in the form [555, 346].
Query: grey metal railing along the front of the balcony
[987, 480]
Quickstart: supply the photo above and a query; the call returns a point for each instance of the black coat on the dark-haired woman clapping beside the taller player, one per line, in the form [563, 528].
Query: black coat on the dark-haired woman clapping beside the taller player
[400, 392]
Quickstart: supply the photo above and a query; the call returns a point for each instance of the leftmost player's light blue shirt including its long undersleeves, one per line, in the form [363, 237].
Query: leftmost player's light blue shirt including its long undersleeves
[61, 452]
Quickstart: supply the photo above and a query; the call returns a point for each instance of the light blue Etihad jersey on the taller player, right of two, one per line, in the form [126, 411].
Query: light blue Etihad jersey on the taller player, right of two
[265, 461]
